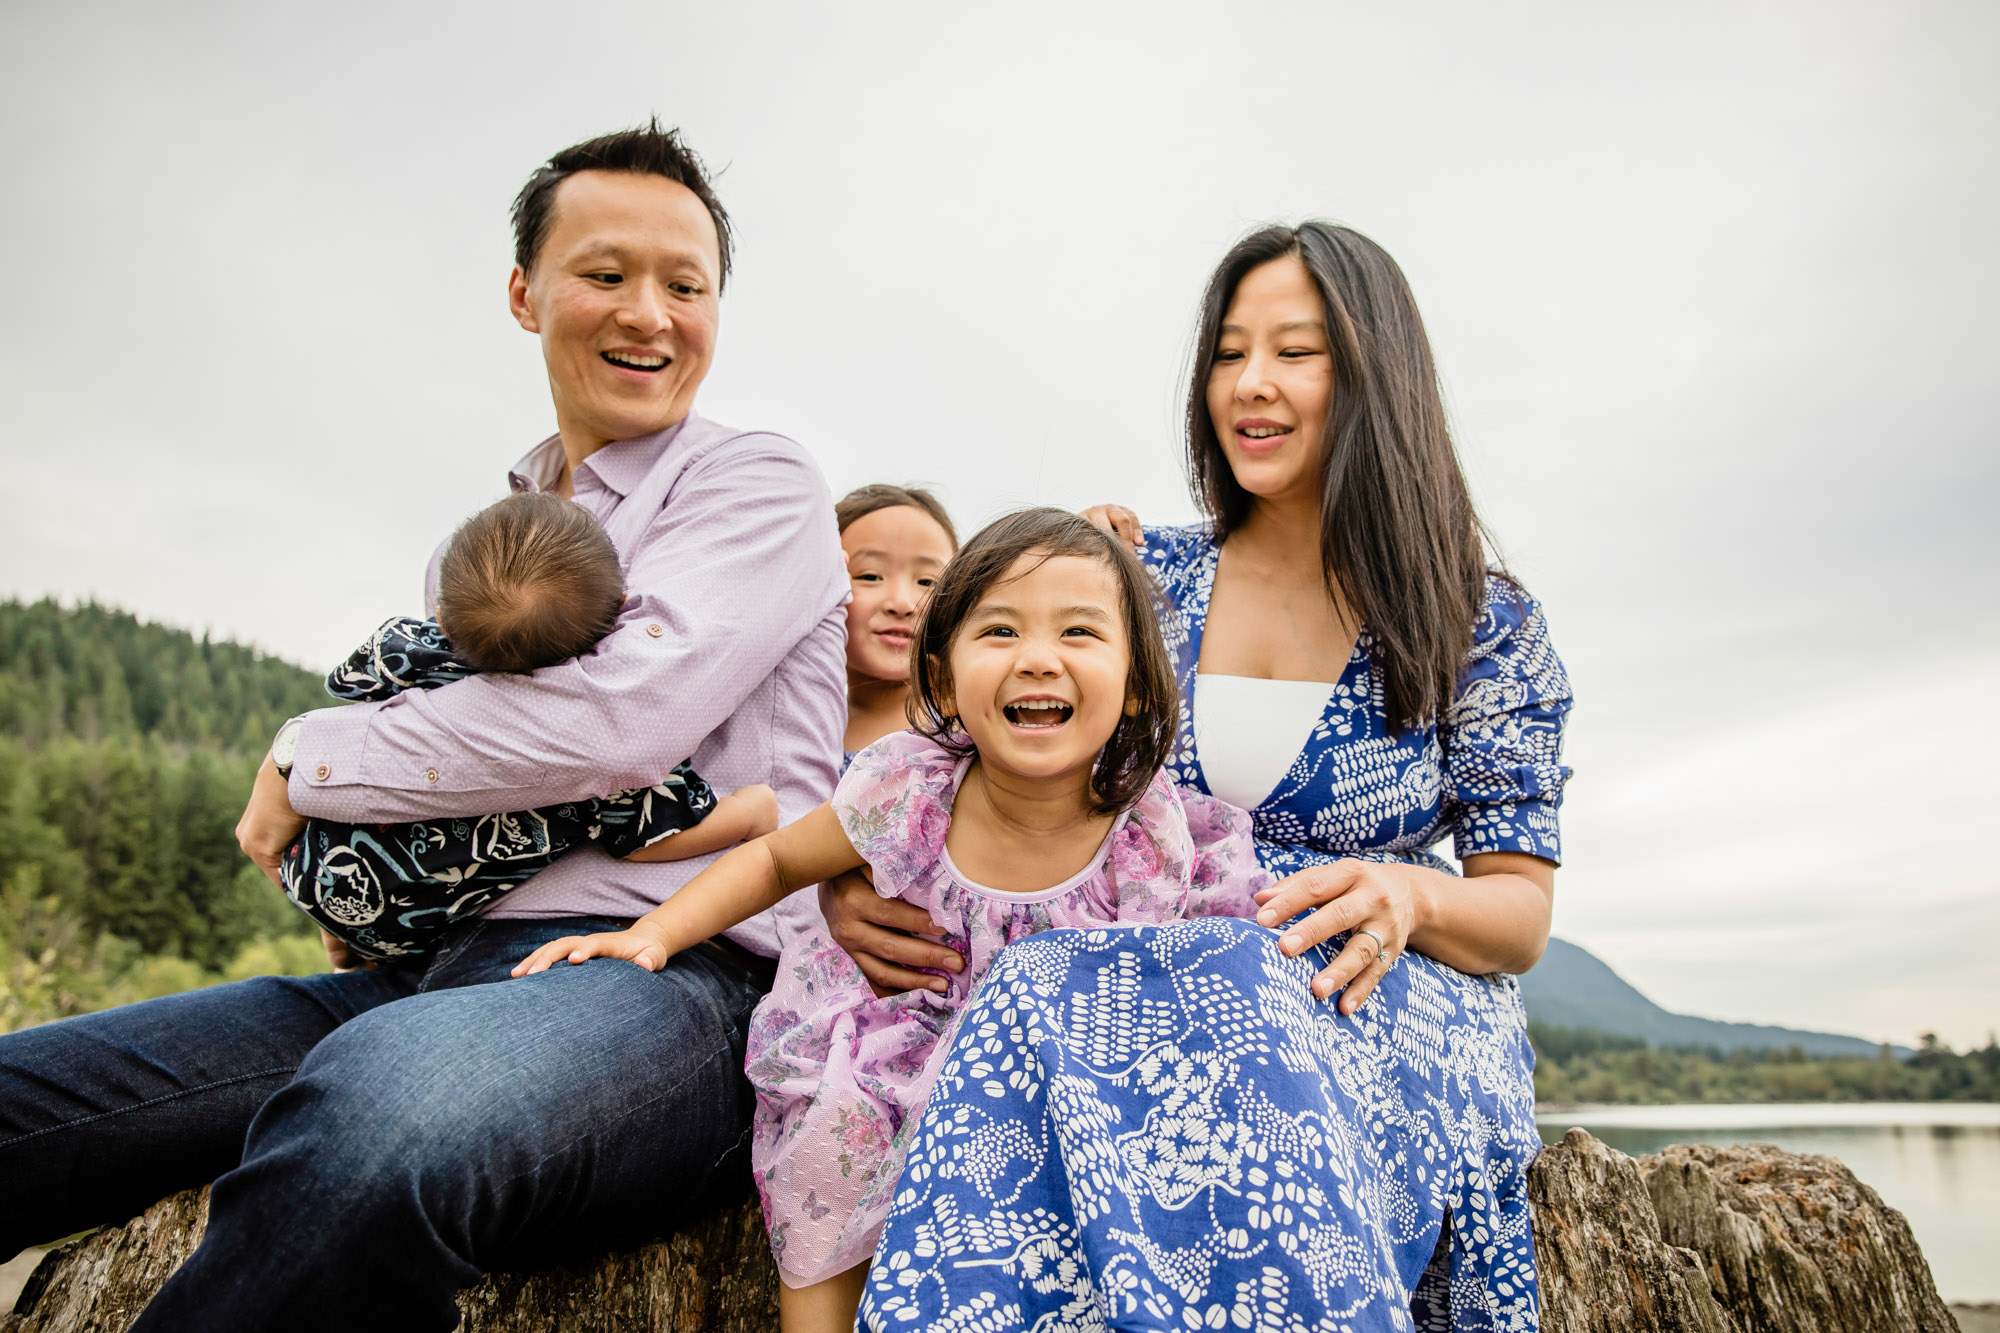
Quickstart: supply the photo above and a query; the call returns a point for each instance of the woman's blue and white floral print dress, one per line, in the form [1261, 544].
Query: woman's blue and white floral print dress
[1163, 1130]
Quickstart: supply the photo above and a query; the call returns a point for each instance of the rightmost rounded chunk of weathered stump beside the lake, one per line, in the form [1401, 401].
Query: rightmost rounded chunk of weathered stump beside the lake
[1795, 1242]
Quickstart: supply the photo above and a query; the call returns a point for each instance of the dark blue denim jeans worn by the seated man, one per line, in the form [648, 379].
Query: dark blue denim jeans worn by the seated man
[381, 1140]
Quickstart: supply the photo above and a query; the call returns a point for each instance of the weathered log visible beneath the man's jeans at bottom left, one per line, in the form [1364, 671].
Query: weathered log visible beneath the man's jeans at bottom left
[711, 1276]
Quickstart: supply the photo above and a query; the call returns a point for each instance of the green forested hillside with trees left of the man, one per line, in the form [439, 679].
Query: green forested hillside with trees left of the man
[127, 754]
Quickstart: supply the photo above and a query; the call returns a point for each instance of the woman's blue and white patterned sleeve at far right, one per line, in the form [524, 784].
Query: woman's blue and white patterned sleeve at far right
[1503, 734]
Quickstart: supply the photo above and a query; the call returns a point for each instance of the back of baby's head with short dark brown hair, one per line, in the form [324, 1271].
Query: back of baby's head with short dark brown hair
[529, 583]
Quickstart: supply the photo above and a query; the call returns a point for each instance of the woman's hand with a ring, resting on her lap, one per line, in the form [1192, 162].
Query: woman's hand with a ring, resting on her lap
[1361, 896]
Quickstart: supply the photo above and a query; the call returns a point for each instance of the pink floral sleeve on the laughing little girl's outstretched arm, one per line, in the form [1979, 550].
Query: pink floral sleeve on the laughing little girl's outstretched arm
[895, 808]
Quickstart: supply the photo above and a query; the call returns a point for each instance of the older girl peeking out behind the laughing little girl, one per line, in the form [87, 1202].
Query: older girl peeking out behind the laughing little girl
[897, 539]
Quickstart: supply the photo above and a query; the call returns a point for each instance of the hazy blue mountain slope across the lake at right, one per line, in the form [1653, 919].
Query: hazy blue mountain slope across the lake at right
[1573, 988]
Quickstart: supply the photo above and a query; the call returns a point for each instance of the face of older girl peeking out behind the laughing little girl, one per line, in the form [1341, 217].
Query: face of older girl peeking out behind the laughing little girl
[893, 559]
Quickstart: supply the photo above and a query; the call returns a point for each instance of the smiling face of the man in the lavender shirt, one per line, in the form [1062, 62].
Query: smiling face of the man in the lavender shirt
[623, 297]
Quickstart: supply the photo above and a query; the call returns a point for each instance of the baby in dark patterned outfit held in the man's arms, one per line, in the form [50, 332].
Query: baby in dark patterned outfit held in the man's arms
[527, 583]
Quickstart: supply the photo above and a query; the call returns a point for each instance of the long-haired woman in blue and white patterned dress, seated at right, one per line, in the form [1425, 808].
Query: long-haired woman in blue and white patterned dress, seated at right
[1165, 1128]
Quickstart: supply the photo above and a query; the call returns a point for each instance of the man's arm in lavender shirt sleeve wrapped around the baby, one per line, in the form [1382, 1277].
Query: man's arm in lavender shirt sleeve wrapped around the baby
[721, 589]
